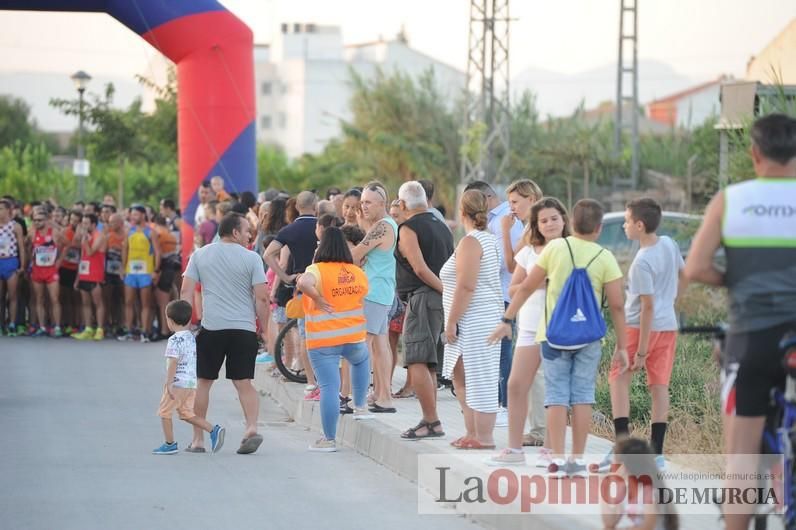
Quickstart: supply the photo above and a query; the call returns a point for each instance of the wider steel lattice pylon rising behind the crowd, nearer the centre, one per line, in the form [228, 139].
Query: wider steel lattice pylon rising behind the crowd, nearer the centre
[487, 92]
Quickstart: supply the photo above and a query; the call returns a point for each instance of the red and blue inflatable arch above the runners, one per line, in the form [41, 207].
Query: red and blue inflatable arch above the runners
[213, 51]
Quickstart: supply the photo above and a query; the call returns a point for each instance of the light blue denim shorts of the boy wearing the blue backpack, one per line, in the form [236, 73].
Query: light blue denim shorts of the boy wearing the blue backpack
[570, 376]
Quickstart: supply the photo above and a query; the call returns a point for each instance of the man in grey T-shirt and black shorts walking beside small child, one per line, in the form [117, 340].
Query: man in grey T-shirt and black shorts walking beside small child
[233, 294]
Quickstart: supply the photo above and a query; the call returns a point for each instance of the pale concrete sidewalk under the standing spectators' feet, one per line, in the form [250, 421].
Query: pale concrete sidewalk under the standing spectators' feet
[380, 440]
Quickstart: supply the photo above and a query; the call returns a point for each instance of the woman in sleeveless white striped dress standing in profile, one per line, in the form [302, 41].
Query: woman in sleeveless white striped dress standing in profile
[473, 302]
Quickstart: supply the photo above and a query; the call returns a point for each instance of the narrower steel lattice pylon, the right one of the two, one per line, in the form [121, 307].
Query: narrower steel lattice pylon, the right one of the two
[627, 92]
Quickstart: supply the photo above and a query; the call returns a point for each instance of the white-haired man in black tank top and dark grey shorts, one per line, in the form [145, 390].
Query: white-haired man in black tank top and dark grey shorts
[424, 245]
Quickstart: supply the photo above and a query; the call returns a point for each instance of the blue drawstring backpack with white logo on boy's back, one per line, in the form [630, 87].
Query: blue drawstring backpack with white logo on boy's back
[576, 320]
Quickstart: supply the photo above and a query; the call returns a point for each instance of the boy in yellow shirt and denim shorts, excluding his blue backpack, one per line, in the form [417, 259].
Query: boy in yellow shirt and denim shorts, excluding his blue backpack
[571, 372]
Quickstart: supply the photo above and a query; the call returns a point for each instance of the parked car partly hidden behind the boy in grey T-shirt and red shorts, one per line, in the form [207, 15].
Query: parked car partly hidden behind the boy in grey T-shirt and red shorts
[681, 227]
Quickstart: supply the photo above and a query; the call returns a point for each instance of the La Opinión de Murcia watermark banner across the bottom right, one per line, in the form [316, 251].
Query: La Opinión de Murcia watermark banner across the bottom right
[467, 485]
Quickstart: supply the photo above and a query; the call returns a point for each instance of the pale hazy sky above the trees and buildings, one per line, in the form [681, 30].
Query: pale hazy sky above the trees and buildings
[700, 39]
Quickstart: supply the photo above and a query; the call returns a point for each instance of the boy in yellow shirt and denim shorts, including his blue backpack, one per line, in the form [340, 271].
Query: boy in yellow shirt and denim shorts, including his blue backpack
[580, 274]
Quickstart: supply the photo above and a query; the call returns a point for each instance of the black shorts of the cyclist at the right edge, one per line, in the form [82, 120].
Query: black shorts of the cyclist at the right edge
[760, 367]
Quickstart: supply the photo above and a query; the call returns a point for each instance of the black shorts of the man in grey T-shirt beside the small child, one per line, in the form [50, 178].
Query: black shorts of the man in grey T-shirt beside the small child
[237, 346]
